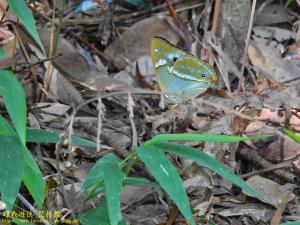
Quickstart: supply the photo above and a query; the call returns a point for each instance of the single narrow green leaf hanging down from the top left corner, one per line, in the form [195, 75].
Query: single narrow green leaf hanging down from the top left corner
[21, 10]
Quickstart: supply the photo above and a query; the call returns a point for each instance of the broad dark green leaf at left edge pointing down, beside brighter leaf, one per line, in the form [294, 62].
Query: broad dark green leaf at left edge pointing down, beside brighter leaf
[12, 168]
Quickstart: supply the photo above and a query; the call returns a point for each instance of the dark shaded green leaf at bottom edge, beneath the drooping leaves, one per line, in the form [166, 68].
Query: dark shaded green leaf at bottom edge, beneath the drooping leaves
[98, 216]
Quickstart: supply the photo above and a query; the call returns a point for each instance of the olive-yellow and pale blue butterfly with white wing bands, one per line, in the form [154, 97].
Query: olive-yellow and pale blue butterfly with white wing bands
[180, 75]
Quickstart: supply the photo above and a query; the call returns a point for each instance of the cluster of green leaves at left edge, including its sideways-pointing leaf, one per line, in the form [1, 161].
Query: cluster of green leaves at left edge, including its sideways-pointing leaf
[13, 145]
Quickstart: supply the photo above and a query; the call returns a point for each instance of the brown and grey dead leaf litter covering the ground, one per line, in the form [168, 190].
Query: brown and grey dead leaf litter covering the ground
[107, 49]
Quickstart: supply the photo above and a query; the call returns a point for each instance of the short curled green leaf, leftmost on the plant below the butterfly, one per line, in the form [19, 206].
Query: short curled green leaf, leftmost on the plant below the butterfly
[95, 175]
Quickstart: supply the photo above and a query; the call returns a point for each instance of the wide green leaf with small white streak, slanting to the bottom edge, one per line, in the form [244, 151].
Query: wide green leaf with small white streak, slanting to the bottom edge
[165, 173]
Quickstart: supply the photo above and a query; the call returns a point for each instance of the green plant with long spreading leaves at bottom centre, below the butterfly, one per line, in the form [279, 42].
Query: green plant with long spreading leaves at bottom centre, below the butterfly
[107, 174]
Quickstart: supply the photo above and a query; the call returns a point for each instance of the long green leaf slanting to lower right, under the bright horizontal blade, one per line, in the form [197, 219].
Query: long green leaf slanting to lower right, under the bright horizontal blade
[205, 160]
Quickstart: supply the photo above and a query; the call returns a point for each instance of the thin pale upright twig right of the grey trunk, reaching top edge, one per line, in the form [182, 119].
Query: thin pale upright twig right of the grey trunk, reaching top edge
[241, 82]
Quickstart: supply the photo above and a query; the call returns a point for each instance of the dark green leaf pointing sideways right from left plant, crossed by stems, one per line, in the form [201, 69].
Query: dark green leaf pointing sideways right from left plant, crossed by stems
[48, 136]
